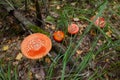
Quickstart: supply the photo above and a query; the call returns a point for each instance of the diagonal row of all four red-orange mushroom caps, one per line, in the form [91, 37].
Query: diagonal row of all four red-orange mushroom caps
[38, 45]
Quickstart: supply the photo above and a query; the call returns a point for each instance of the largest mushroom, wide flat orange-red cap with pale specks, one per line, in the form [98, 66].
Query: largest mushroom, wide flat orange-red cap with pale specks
[36, 46]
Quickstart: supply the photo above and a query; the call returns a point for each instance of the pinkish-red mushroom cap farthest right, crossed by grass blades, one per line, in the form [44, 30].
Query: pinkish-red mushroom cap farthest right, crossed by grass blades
[100, 21]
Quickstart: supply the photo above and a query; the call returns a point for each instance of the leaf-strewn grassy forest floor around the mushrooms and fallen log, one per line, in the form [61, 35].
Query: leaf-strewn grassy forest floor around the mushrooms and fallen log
[92, 54]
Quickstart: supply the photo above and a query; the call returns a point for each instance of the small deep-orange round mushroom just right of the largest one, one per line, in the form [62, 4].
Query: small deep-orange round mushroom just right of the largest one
[58, 36]
